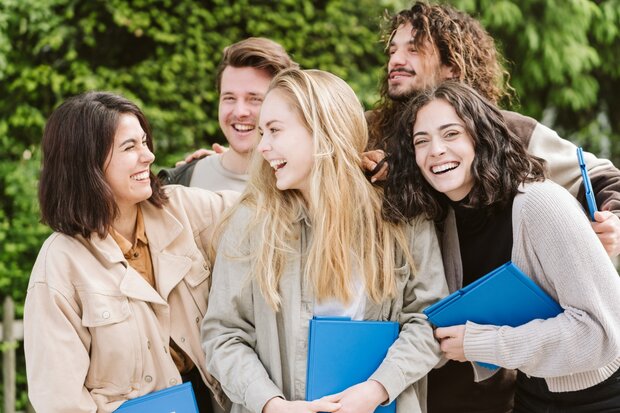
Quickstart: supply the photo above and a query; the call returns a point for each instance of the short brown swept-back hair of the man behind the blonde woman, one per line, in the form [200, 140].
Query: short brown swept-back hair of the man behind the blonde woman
[257, 52]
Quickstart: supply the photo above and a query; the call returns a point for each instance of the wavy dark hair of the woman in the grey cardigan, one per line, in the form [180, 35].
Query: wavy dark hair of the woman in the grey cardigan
[500, 165]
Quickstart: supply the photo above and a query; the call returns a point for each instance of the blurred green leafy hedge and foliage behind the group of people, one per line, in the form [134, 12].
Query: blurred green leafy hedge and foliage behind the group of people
[564, 58]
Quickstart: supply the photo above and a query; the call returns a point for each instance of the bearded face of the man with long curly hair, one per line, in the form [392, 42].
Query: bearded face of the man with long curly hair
[410, 69]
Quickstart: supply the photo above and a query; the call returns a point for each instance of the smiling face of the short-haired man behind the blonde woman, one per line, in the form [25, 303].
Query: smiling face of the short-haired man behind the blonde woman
[242, 90]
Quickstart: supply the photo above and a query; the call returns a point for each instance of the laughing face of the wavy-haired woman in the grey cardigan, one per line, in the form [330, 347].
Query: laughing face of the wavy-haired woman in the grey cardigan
[444, 150]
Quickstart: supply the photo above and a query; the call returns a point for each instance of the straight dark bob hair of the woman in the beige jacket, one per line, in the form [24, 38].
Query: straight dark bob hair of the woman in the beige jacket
[78, 137]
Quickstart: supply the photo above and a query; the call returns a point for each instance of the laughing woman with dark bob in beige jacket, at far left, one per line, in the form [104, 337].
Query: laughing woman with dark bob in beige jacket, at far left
[118, 290]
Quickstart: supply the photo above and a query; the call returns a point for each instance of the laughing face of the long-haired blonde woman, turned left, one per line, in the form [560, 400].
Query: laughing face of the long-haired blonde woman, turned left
[286, 144]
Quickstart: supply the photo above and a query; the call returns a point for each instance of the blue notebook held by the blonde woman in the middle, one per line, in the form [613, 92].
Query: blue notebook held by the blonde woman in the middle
[342, 353]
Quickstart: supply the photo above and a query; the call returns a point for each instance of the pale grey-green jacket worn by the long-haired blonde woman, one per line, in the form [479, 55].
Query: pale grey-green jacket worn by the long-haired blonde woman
[258, 354]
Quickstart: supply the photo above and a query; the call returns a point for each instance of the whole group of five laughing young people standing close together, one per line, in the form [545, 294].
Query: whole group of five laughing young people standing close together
[144, 286]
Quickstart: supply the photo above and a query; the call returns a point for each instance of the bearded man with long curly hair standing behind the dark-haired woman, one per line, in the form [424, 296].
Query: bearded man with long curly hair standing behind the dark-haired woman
[430, 43]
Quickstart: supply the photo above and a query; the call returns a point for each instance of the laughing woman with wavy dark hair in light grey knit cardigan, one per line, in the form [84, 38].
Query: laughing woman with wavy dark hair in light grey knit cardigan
[455, 161]
